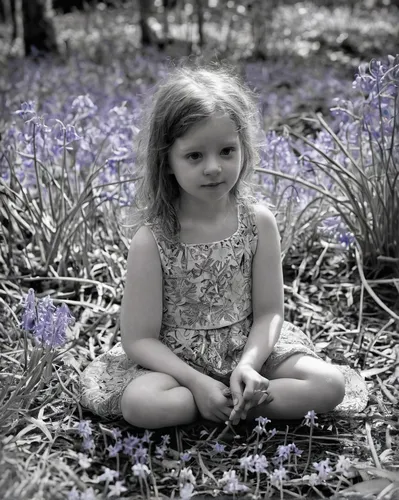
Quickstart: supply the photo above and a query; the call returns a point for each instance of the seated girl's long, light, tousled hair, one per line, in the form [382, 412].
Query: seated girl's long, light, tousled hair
[185, 97]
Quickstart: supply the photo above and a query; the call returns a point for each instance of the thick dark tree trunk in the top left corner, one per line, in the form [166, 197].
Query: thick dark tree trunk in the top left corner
[39, 28]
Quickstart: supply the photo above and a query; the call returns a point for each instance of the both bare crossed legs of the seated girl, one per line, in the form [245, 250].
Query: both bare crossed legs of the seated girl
[299, 384]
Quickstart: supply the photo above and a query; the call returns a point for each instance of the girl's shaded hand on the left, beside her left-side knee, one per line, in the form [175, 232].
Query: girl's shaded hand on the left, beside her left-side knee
[211, 398]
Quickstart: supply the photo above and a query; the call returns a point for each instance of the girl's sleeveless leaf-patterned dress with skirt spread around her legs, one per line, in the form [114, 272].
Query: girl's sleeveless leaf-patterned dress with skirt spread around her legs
[207, 317]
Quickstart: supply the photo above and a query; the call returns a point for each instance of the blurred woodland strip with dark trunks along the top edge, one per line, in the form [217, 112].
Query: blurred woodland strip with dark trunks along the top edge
[259, 29]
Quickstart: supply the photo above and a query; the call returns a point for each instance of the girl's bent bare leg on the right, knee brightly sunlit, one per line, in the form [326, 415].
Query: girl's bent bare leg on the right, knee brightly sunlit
[299, 384]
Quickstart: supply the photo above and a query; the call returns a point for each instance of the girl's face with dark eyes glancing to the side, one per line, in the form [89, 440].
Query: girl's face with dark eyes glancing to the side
[209, 152]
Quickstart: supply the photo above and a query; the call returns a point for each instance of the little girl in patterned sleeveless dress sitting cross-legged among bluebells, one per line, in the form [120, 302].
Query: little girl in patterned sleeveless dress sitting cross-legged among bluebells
[202, 319]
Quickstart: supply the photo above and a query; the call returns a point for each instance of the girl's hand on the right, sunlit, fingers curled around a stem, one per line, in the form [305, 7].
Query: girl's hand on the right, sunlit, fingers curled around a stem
[249, 389]
